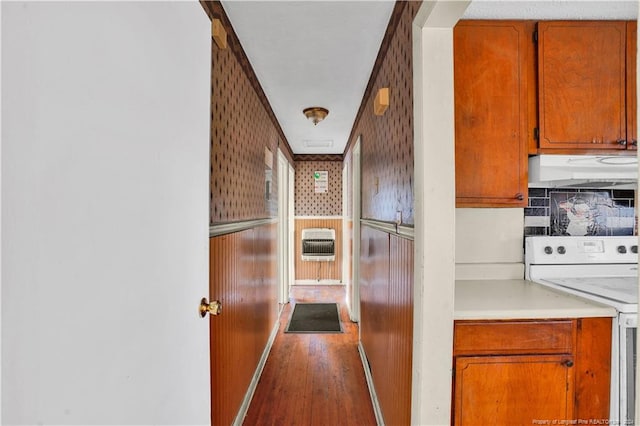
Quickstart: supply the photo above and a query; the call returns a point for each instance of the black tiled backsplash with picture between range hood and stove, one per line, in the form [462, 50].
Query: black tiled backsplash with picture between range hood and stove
[580, 211]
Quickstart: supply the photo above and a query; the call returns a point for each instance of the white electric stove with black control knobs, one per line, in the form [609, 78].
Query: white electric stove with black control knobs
[605, 270]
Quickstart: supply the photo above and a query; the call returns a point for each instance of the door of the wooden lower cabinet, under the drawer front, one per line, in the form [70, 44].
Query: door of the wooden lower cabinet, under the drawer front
[513, 390]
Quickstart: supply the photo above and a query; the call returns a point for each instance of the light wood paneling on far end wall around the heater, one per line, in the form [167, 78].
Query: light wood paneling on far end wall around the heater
[308, 272]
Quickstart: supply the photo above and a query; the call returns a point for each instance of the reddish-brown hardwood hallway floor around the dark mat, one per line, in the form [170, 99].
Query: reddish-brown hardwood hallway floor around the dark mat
[313, 379]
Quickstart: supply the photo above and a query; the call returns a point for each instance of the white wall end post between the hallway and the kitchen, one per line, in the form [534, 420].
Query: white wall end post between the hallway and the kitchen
[434, 172]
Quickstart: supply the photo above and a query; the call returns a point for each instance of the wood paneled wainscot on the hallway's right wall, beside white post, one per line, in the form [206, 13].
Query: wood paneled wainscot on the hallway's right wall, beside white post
[386, 326]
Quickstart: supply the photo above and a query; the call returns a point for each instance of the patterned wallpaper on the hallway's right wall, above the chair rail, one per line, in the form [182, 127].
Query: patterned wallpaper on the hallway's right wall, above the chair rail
[387, 140]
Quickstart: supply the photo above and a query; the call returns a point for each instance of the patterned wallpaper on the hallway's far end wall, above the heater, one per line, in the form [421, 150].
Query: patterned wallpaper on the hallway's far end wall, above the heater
[310, 203]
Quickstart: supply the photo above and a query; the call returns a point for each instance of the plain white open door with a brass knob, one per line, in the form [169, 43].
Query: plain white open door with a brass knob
[105, 154]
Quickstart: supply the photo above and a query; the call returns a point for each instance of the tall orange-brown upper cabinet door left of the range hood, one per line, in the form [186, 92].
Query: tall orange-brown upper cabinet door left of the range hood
[493, 68]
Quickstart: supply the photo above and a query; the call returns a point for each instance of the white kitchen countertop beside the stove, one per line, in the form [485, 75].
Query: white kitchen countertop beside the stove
[520, 299]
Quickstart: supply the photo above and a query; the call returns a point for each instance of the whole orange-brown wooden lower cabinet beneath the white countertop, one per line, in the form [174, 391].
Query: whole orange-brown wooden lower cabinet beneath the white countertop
[521, 372]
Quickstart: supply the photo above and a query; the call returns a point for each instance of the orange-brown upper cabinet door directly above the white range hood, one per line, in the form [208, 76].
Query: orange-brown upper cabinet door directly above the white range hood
[582, 87]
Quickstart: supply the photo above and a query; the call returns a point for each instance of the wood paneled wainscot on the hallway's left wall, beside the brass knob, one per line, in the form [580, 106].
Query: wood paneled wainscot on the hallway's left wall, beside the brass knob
[243, 278]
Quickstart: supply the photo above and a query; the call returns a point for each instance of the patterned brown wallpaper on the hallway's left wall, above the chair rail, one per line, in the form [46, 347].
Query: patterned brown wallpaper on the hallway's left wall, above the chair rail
[240, 130]
